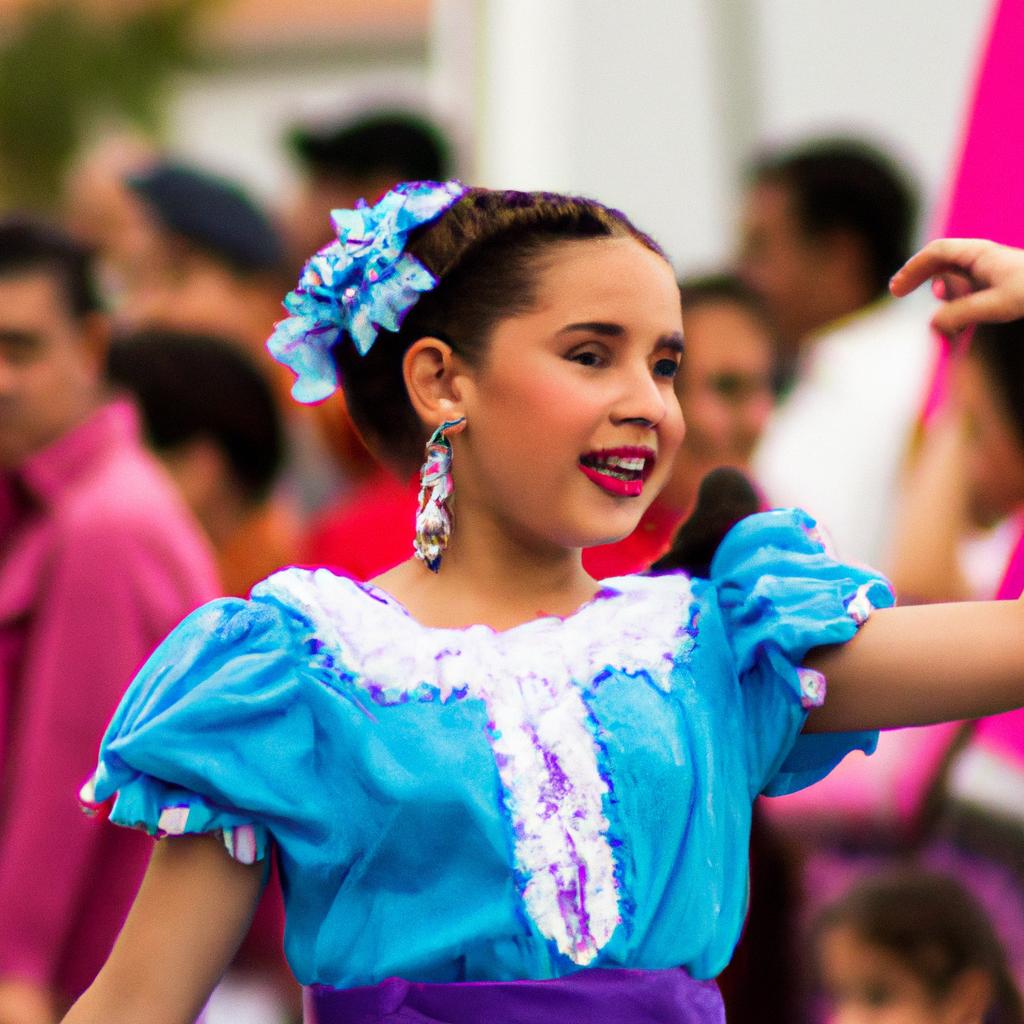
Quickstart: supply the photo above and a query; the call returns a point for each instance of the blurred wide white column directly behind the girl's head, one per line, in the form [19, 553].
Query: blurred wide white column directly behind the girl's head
[611, 99]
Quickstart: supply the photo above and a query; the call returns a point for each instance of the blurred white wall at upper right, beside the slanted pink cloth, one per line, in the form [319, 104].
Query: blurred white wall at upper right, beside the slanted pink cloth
[900, 70]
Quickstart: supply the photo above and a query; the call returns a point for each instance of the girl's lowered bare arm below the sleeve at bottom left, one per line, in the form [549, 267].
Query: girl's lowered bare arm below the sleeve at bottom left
[190, 917]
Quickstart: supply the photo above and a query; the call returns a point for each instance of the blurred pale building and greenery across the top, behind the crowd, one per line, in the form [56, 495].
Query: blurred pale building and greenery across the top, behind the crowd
[653, 106]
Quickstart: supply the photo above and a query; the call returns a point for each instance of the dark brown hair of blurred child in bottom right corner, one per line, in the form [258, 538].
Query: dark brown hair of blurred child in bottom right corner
[932, 926]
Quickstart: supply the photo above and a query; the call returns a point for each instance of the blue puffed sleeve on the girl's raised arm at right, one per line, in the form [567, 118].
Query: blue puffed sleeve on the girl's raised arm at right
[782, 594]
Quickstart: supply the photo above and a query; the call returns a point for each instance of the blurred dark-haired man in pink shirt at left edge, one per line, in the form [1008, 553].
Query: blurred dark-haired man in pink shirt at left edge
[99, 561]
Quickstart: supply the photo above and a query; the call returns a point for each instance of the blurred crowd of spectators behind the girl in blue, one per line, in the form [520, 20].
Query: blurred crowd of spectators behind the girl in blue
[151, 459]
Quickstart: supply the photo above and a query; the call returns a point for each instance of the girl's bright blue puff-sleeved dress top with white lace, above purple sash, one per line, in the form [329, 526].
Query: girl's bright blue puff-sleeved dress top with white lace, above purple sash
[453, 805]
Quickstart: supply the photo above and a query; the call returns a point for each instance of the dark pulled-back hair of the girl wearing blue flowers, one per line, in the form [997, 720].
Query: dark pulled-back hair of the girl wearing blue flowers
[486, 251]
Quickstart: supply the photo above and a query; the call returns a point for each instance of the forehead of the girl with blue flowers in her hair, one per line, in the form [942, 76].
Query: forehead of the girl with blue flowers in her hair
[610, 278]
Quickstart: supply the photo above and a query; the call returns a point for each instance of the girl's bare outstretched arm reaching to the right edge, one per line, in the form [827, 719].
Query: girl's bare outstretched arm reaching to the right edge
[924, 664]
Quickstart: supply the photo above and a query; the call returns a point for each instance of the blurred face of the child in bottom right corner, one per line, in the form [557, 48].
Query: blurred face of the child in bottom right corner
[868, 986]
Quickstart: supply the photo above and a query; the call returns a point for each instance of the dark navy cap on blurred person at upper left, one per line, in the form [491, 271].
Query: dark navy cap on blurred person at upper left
[214, 214]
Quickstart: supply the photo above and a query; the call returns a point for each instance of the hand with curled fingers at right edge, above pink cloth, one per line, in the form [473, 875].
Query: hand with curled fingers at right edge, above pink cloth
[983, 282]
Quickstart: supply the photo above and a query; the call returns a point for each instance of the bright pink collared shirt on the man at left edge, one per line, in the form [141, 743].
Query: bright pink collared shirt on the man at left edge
[100, 559]
